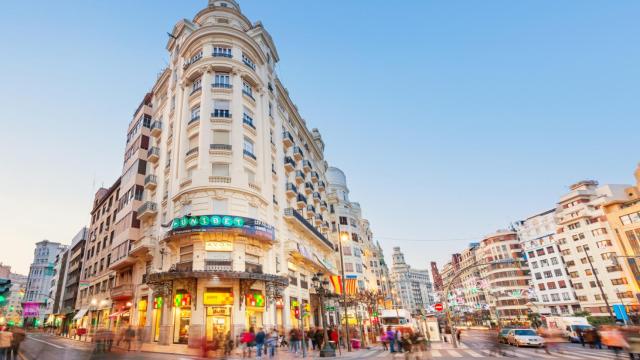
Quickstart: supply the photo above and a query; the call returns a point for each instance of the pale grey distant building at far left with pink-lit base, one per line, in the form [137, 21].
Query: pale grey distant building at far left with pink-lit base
[34, 303]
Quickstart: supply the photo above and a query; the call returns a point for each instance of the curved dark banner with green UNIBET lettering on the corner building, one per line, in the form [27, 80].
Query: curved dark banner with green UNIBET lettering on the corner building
[223, 223]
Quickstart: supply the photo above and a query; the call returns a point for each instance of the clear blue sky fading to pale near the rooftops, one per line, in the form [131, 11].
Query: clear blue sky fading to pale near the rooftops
[451, 119]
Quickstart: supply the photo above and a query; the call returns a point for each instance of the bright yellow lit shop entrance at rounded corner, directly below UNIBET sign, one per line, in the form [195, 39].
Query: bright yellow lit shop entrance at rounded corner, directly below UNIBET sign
[218, 303]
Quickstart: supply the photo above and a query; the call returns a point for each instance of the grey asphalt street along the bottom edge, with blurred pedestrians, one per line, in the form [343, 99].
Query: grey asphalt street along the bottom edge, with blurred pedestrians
[475, 345]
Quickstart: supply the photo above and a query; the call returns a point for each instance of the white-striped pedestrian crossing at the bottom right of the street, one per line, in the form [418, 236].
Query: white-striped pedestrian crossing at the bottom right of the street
[573, 354]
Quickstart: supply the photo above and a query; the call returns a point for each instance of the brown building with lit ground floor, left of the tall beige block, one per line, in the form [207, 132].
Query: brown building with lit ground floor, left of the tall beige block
[94, 303]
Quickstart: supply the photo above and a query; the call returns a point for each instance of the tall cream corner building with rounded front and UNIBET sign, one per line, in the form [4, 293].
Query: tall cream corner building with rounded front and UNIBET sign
[234, 210]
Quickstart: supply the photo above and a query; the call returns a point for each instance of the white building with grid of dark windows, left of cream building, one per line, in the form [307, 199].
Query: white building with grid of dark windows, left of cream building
[552, 286]
